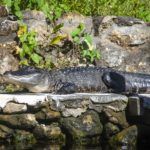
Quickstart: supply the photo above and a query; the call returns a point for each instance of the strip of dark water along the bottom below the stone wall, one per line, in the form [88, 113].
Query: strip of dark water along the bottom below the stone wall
[41, 146]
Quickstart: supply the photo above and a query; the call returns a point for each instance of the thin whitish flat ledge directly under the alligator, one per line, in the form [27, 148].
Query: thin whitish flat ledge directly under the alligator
[34, 98]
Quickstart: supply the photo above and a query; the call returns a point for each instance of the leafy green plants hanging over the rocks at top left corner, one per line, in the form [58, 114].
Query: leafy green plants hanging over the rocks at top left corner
[52, 9]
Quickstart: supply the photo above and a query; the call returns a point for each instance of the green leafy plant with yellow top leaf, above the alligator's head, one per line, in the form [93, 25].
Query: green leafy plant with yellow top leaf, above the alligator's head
[28, 46]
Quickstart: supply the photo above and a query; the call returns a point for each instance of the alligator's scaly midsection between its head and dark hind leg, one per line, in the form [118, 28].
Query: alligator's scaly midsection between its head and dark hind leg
[78, 79]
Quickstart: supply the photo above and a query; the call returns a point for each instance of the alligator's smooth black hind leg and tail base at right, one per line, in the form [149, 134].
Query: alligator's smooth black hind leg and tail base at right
[127, 82]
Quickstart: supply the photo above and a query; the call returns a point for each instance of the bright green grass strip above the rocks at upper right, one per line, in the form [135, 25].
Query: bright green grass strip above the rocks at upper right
[135, 8]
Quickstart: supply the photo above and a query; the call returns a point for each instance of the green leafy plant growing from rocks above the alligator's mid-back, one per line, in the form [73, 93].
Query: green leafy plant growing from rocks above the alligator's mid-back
[83, 41]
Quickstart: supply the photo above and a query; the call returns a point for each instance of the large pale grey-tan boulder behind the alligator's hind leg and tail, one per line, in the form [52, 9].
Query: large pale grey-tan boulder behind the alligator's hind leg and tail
[121, 39]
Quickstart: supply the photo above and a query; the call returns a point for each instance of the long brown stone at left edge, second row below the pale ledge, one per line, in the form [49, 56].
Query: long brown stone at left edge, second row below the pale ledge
[20, 121]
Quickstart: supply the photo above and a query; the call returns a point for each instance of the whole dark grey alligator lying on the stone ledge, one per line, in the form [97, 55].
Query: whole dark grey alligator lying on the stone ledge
[79, 79]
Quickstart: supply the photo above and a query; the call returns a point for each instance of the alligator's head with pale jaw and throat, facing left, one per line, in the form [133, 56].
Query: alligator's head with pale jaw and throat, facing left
[33, 79]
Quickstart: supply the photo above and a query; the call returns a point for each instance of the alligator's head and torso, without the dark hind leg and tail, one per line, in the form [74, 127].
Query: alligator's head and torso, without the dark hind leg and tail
[62, 81]
